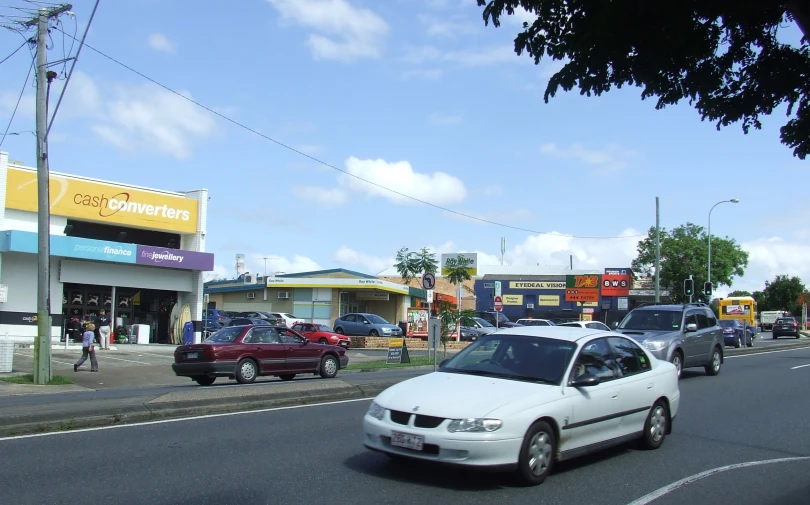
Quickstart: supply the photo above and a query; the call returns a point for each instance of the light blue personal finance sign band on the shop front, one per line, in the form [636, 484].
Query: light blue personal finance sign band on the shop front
[71, 247]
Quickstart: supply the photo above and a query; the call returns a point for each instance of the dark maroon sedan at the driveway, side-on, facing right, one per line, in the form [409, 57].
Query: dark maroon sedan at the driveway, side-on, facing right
[247, 352]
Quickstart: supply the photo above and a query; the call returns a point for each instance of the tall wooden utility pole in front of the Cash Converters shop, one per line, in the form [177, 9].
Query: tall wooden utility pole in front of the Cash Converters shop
[42, 343]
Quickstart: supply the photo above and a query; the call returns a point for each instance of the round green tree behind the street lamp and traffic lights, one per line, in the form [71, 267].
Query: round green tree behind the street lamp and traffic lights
[684, 251]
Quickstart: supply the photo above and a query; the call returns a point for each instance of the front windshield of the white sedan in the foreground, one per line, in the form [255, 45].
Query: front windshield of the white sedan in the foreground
[514, 357]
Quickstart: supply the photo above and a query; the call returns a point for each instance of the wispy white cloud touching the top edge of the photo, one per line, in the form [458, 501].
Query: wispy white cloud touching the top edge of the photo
[356, 33]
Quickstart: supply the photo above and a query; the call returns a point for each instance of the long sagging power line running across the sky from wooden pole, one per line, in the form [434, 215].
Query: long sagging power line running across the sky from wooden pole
[329, 165]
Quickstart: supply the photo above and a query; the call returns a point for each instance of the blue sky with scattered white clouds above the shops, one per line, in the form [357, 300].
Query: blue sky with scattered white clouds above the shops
[419, 98]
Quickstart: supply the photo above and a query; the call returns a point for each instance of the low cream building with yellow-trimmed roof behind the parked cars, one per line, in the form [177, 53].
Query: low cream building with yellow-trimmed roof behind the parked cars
[319, 297]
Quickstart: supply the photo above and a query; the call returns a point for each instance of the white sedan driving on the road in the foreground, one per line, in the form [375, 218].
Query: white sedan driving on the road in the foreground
[525, 397]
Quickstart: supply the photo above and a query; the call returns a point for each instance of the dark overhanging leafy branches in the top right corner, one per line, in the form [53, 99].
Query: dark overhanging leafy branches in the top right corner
[724, 57]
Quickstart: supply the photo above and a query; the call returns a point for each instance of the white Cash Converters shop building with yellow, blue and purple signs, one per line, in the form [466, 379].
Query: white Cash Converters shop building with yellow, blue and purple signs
[137, 253]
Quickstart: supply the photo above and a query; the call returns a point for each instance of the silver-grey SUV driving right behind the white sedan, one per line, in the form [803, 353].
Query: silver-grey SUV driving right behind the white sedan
[686, 335]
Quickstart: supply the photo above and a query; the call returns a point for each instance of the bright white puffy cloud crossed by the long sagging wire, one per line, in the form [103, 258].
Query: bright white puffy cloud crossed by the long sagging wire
[400, 176]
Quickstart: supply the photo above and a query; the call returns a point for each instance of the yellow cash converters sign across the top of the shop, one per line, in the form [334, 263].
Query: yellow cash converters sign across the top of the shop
[104, 203]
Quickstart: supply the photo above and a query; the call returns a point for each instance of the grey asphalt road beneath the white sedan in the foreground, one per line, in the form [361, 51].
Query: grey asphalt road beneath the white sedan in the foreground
[755, 410]
